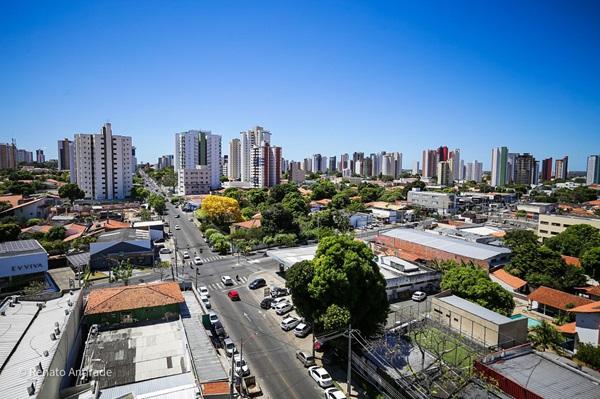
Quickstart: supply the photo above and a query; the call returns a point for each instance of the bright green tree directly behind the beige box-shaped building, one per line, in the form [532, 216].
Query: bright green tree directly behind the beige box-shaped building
[472, 283]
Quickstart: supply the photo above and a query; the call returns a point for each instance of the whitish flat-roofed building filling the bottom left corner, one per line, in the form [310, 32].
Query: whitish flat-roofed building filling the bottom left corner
[39, 341]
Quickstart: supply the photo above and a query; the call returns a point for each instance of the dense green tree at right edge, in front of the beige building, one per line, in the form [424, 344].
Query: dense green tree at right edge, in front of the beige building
[575, 240]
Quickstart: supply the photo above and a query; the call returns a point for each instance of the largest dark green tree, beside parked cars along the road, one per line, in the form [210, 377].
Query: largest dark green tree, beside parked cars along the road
[342, 279]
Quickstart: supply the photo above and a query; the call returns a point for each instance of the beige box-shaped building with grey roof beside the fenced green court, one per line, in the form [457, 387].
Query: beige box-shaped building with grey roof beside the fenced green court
[481, 325]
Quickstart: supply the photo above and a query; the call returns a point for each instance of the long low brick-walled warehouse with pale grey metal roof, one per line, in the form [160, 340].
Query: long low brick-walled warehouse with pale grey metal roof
[416, 244]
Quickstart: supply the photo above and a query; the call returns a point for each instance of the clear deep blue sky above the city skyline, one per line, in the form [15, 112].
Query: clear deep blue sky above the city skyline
[323, 76]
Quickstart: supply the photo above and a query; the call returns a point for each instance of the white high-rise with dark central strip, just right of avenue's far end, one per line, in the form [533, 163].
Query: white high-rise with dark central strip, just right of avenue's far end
[198, 148]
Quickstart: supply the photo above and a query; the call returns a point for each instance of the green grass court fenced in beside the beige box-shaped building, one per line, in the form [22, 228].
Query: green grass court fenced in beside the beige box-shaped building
[453, 352]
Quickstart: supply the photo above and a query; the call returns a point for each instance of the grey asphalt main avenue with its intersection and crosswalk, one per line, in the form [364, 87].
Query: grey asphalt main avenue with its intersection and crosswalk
[269, 351]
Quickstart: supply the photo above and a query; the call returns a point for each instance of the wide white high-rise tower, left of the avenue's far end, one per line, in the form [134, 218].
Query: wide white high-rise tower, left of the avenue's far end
[103, 165]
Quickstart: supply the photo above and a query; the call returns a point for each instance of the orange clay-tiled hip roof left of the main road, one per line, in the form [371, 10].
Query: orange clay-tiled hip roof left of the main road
[117, 299]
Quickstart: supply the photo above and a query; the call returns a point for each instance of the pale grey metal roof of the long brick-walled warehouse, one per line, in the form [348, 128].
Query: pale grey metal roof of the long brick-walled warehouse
[448, 244]
